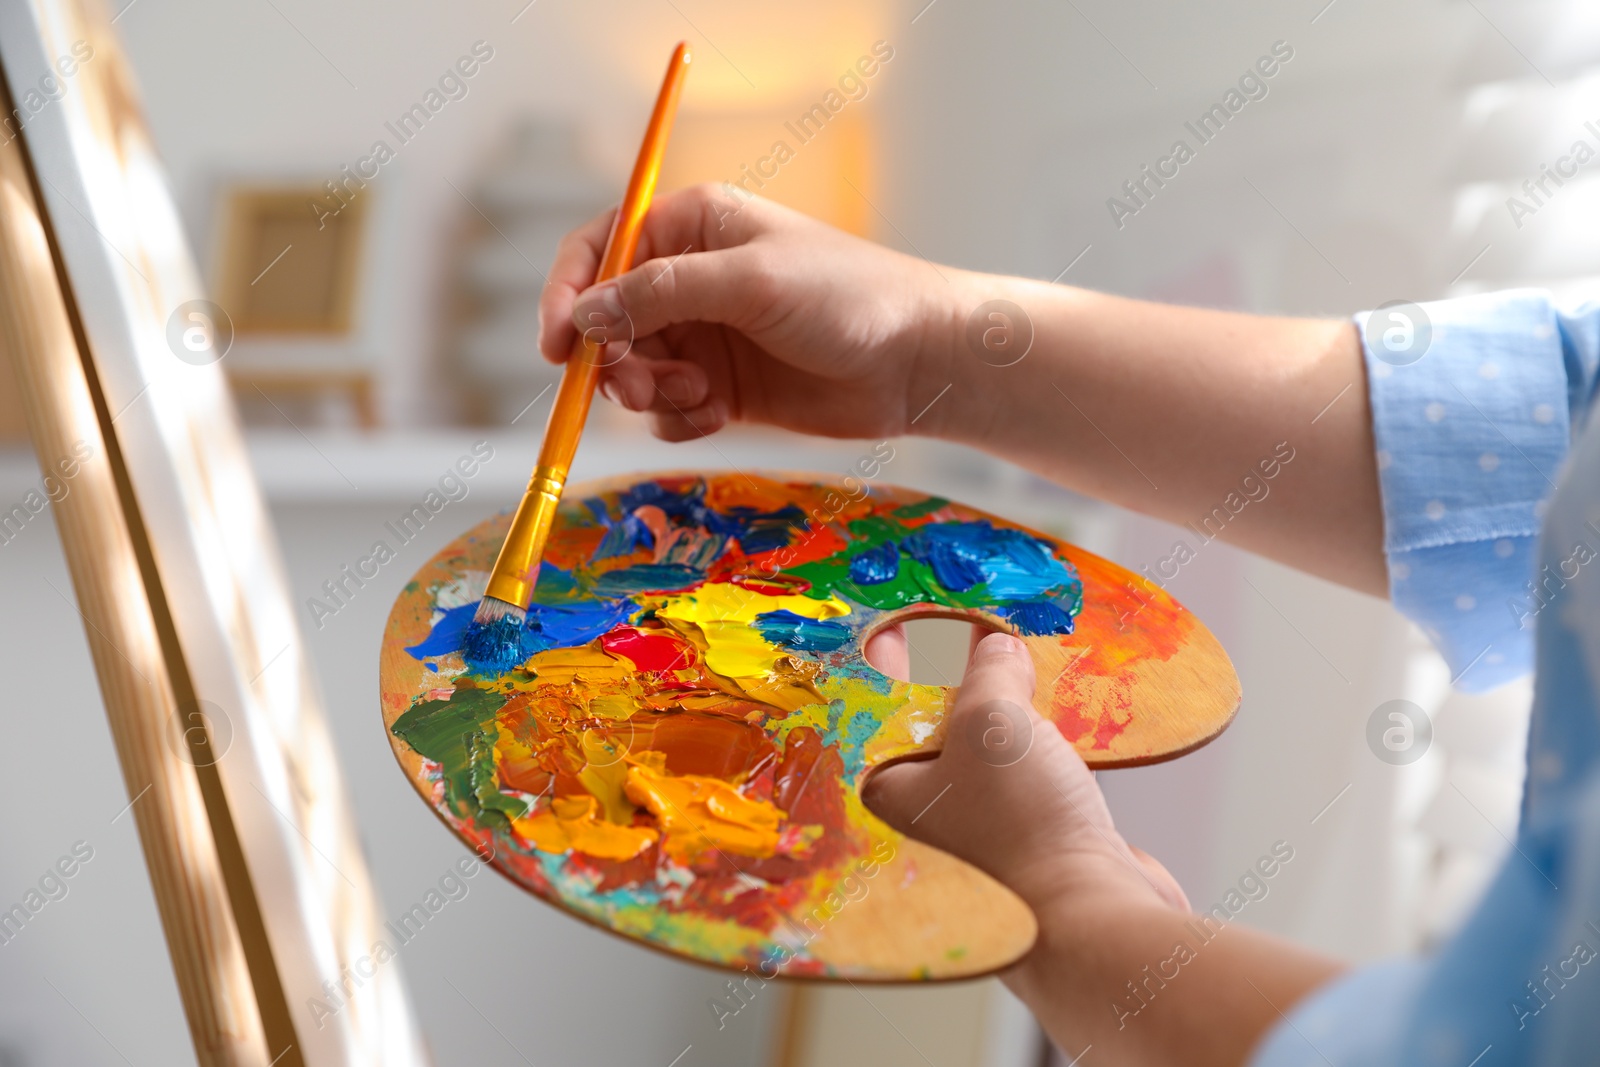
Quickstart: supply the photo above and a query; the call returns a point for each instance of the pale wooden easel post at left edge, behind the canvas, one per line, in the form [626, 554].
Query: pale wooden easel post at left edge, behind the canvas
[175, 833]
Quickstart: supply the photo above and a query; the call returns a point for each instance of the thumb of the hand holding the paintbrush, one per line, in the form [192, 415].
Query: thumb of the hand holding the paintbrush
[719, 287]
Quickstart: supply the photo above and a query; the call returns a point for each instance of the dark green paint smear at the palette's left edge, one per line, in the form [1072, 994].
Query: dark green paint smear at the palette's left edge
[460, 735]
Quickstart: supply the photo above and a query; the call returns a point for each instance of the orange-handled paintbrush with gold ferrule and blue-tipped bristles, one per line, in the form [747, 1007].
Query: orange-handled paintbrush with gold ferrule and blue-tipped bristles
[494, 641]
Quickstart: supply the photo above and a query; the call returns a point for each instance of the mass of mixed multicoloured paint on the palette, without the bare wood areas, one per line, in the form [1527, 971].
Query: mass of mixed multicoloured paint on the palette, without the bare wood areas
[678, 753]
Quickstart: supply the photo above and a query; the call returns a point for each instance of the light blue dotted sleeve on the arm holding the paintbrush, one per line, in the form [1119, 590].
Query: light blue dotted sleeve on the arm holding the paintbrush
[1474, 409]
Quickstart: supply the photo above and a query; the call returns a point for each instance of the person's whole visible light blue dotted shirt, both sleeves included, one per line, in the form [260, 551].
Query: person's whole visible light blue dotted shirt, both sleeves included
[1473, 434]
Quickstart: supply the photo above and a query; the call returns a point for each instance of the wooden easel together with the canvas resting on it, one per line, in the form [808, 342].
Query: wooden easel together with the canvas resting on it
[249, 834]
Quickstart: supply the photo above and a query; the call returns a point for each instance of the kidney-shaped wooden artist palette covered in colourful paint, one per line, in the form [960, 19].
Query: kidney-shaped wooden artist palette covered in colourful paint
[679, 757]
